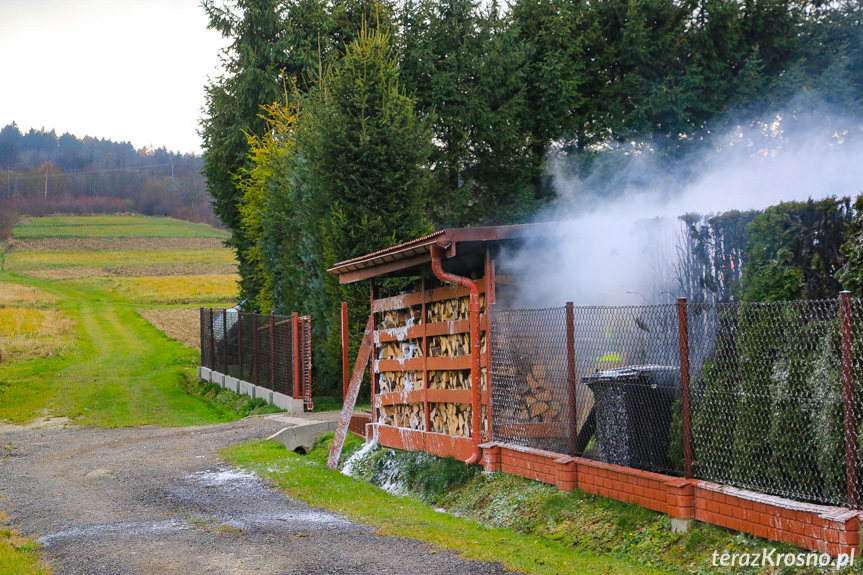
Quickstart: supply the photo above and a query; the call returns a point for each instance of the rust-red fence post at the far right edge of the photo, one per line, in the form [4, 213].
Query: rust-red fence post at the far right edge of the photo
[851, 469]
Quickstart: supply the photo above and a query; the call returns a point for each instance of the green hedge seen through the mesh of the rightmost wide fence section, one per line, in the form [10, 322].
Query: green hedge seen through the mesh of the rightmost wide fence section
[768, 409]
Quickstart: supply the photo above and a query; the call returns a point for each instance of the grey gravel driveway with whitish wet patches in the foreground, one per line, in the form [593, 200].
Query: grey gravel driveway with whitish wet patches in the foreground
[152, 500]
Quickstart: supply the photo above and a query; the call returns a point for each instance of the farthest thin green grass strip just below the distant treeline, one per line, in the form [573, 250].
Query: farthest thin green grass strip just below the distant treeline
[113, 227]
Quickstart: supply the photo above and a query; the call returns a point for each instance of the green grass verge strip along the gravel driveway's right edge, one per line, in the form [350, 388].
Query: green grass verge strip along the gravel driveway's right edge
[306, 479]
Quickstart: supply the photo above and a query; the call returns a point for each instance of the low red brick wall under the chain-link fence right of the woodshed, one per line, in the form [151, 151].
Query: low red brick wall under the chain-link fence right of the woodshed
[826, 529]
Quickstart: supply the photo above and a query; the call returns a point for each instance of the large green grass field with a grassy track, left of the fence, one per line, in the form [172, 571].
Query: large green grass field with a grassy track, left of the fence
[77, 348]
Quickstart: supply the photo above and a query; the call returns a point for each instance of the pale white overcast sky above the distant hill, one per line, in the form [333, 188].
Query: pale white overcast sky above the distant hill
[124, 70]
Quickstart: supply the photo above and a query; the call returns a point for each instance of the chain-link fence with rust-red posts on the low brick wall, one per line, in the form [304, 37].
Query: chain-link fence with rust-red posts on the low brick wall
[768, 401]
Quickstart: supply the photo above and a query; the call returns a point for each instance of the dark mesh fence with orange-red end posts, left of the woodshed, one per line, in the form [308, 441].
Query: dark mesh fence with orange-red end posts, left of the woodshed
[272, 351]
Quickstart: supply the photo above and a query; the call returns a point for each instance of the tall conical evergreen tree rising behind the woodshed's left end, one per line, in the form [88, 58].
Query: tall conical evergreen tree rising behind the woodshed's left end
[362, 156]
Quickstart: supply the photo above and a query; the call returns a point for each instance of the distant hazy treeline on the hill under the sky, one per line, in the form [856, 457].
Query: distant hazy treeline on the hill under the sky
[42, 173]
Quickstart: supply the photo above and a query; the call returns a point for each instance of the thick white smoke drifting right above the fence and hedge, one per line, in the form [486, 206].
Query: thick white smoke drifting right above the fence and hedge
[614, 242]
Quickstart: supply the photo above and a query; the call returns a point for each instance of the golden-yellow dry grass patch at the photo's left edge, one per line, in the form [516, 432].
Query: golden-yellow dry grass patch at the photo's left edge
[26, 333]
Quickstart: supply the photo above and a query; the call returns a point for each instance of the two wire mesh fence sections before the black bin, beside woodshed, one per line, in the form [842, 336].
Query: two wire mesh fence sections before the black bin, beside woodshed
[594, 381]
